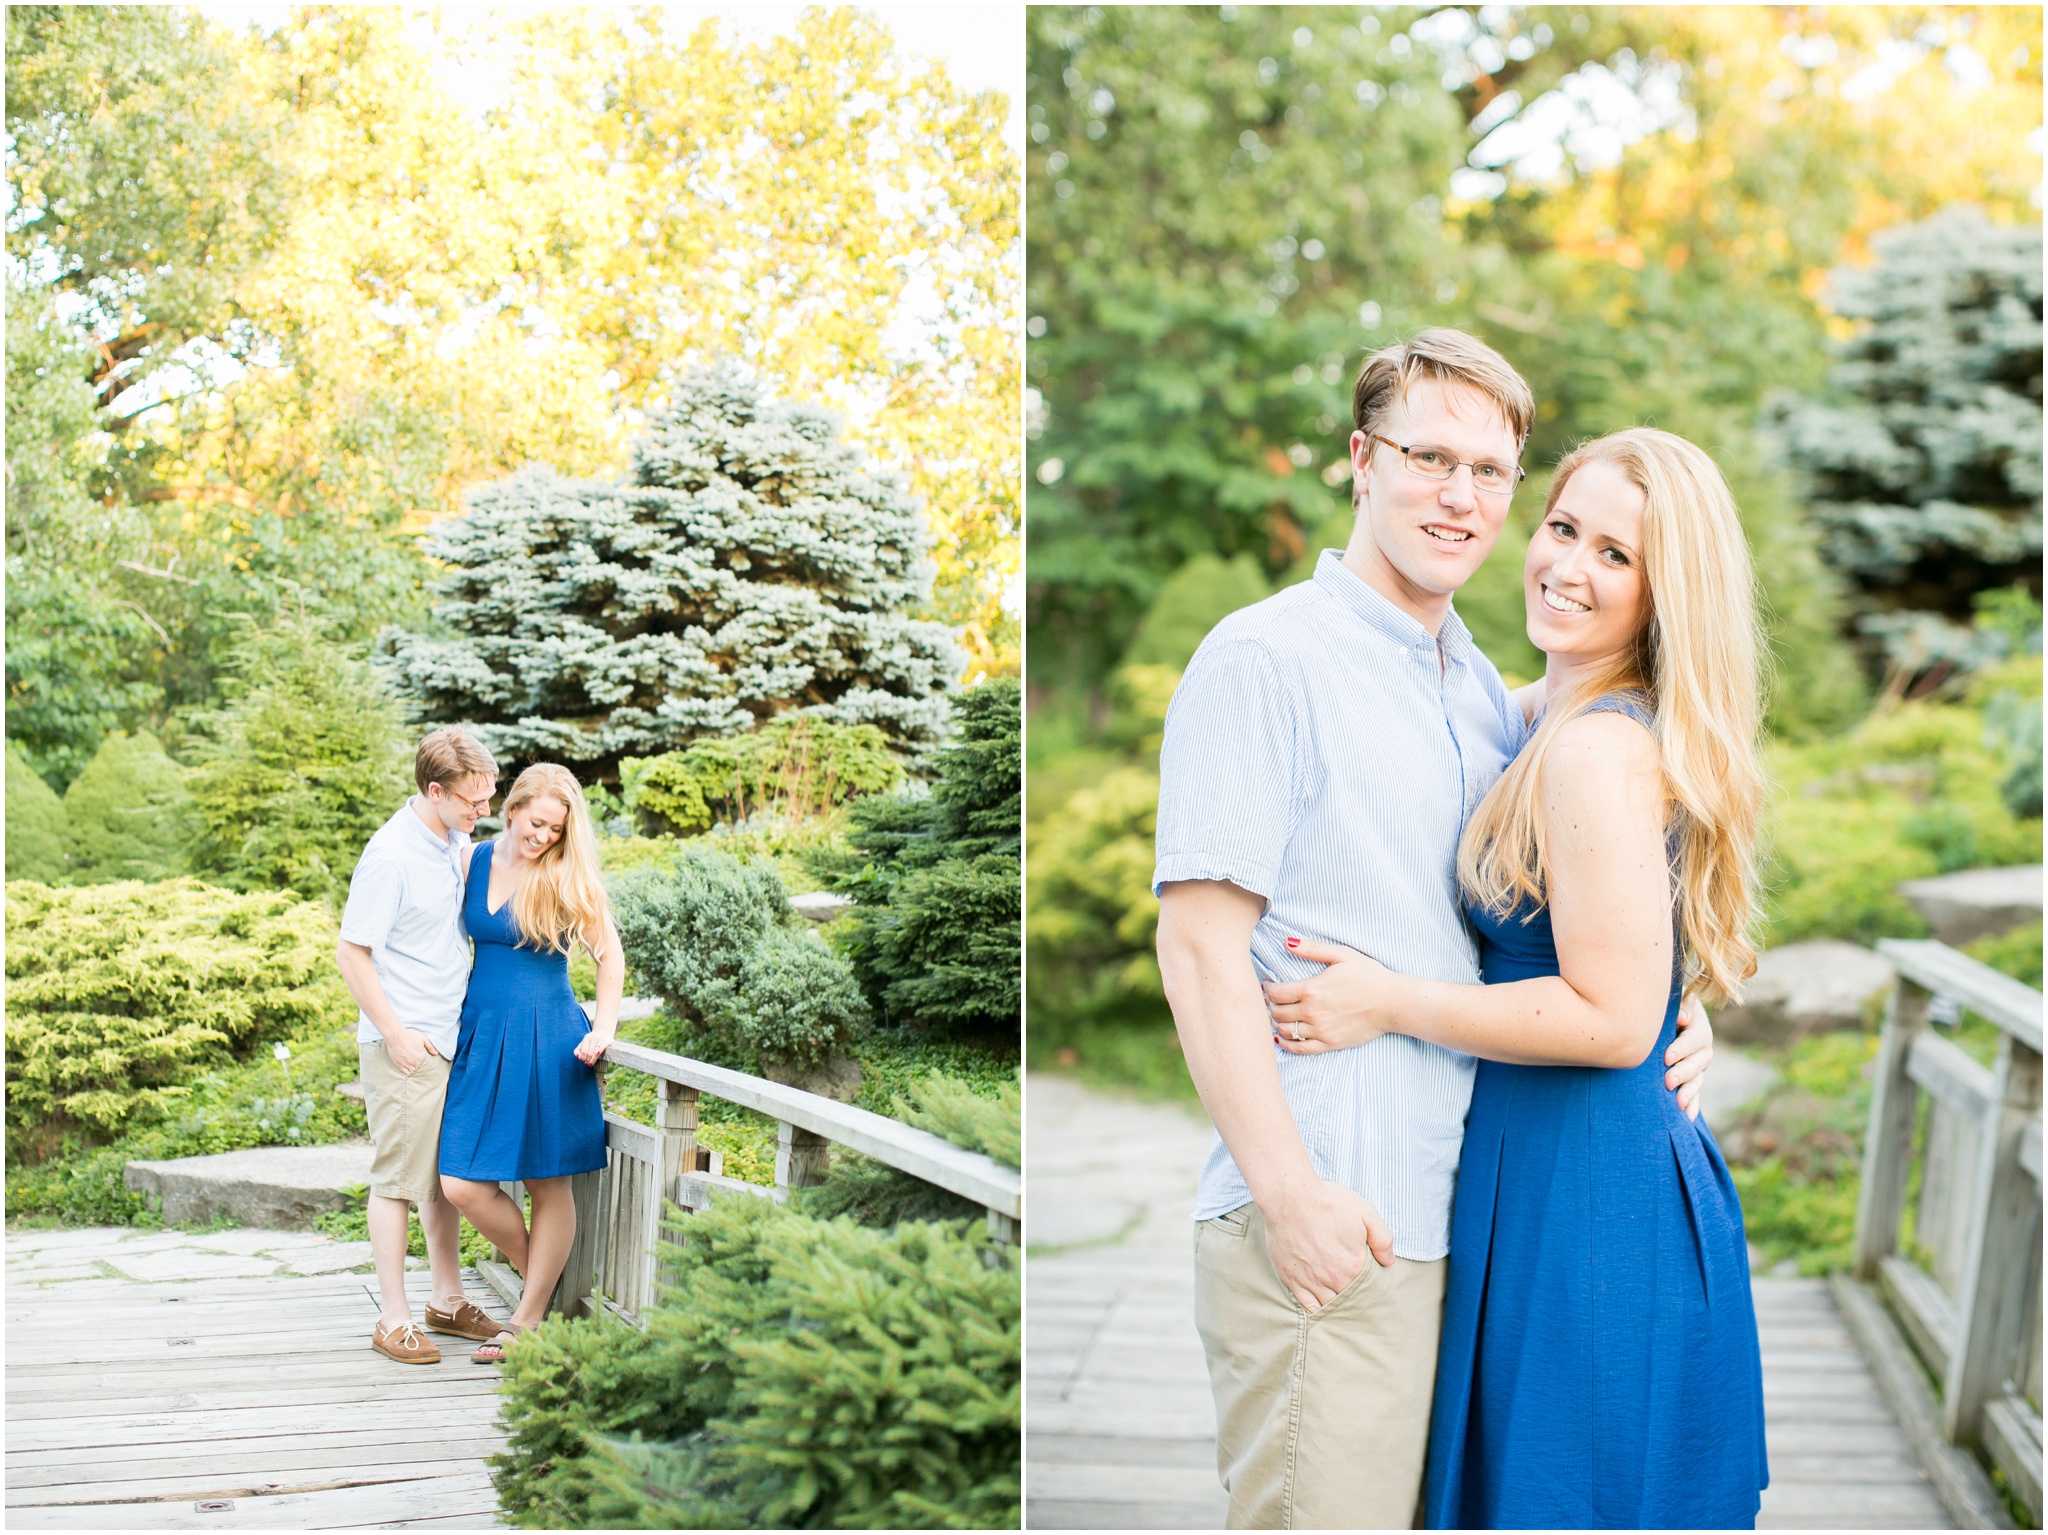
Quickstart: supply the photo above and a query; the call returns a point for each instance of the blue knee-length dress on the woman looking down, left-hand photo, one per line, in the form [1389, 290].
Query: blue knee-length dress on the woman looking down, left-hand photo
[521, 1106]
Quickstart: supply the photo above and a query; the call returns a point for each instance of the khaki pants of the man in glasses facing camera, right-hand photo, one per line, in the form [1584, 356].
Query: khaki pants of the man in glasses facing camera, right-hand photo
[1322, 1417]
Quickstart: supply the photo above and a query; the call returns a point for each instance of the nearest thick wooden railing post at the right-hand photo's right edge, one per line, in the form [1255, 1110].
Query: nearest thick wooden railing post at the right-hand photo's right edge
[2006, 1207]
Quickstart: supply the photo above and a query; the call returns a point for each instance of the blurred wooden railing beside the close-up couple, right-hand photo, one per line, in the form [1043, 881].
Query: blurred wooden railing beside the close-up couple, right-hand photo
[1973, 1313]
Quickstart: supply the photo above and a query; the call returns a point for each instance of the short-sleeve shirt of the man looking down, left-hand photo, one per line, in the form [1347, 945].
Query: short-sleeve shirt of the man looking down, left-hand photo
[407, 910]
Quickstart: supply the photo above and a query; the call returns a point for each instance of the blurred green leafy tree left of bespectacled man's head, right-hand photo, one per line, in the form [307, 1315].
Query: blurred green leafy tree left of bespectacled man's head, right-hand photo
[1226, 210]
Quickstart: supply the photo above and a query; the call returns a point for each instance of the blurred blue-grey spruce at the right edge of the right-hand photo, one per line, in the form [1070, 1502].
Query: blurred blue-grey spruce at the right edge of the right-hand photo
[1928, 470]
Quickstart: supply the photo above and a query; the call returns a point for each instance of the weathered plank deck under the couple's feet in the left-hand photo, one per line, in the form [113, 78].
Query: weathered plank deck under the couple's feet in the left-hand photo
[134, 1405]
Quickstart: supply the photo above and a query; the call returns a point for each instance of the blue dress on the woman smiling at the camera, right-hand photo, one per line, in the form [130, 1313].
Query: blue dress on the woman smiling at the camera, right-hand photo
[1601, 1364]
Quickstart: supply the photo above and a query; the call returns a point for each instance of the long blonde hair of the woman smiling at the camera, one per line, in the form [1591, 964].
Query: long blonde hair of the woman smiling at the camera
[1699, 660]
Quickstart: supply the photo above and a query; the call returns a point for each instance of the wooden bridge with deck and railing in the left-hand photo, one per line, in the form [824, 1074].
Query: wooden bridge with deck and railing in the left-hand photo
[257, 1403]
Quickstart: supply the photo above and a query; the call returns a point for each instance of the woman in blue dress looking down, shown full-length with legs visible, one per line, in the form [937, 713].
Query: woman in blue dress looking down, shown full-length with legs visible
[523, 1088]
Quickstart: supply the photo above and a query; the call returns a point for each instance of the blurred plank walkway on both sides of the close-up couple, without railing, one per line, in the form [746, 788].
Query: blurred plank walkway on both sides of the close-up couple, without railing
[1119, 1428]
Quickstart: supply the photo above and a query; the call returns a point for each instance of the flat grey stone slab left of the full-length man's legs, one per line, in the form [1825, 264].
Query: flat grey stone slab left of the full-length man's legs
[278, 1188]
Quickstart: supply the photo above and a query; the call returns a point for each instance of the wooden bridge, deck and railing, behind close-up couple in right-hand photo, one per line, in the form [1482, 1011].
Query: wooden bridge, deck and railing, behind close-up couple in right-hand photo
[1119, 1419]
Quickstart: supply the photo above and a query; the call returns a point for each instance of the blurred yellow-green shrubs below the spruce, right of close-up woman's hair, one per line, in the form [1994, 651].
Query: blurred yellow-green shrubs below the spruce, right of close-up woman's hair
[1914, 791]
